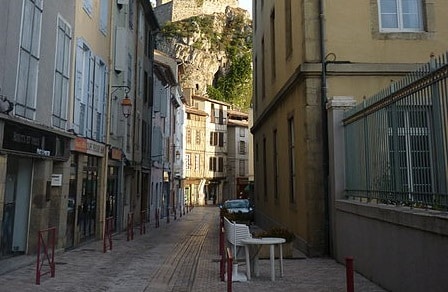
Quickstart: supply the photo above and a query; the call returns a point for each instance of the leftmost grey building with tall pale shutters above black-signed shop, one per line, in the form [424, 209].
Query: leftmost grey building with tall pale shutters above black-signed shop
[35, 80]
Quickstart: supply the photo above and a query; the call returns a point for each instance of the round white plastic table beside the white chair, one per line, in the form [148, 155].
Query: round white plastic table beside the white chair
[272, 242]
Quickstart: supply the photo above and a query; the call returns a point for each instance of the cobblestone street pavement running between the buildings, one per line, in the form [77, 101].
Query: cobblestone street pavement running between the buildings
[178, 256]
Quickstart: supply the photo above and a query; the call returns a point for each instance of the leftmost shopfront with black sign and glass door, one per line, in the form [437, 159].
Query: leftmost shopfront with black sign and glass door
[33, 159]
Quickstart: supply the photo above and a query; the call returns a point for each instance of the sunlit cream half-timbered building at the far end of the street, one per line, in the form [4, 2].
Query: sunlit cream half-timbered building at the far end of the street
[206, 146]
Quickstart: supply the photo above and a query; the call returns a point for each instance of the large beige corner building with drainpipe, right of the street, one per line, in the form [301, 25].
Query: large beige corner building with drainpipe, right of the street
[326, 50]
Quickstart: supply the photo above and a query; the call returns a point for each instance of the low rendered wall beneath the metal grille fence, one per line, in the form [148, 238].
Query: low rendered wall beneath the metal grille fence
[399, 248]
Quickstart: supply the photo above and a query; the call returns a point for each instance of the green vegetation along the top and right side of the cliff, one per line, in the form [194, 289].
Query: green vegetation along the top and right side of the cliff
[234, 84]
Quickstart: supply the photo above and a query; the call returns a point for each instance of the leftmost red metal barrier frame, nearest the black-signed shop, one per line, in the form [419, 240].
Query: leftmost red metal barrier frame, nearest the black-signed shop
[47, 248]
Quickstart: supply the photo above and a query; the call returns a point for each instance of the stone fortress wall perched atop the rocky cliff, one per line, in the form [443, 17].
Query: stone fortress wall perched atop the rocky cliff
[175, 10]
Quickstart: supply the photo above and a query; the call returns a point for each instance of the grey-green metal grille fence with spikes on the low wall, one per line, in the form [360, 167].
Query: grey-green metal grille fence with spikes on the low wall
[396, 141]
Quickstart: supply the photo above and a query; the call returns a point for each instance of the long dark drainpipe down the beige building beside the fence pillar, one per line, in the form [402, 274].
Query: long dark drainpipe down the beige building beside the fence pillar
[325, 147]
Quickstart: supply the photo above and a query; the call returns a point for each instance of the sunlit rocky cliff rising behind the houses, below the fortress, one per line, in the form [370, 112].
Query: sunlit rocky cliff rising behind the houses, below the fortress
[202, 44]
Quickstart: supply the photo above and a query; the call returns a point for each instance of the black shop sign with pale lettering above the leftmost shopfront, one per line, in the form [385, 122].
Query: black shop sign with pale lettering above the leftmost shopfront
[30, 140]
